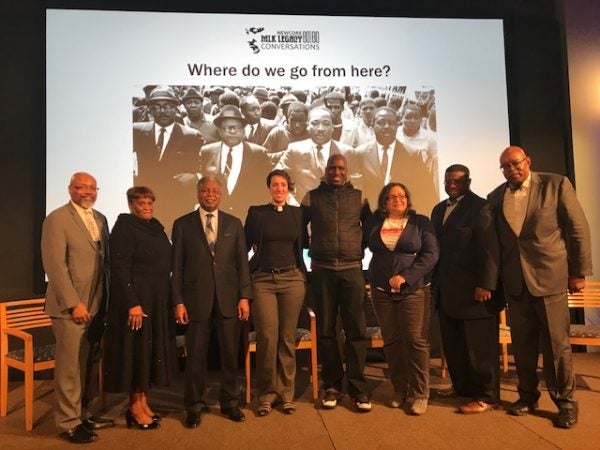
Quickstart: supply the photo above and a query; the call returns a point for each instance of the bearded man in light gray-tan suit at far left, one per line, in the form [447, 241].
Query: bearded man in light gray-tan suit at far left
[75, 258]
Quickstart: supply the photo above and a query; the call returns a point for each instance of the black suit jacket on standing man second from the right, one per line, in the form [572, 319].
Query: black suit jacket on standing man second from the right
[469, 258]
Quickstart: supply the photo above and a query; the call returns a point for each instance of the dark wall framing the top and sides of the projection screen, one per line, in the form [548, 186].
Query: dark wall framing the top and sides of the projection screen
[536, 74]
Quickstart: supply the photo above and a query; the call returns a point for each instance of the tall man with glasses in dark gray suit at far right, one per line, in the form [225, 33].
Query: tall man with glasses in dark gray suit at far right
[545, 250]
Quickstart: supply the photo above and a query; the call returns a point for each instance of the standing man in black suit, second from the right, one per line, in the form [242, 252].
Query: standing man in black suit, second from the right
[464, 278]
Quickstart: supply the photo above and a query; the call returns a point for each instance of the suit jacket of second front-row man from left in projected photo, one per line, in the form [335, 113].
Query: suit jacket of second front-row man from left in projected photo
[250, 188]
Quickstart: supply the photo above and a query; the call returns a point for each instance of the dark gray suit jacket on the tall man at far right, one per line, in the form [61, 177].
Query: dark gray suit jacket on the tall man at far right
[554, 242]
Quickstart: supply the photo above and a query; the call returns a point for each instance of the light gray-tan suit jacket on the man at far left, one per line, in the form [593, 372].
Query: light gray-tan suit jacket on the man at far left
[77, 268]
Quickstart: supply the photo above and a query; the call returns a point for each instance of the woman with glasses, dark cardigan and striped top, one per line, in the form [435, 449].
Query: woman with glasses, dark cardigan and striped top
[405, 251]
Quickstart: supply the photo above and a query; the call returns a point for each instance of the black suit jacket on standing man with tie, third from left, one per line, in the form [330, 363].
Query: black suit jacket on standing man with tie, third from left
[198, 278]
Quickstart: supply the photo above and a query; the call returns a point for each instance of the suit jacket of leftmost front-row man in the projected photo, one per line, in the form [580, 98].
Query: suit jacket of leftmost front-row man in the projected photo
[173, 198]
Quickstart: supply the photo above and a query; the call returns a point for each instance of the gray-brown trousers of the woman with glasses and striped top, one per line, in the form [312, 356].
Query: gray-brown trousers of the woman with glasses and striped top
[404, 323]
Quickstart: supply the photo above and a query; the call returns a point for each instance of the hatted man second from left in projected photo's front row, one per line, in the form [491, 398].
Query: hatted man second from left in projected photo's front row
[240, 166]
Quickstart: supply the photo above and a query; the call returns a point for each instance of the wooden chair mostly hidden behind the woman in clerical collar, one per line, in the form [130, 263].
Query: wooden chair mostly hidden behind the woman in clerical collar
[305, 340]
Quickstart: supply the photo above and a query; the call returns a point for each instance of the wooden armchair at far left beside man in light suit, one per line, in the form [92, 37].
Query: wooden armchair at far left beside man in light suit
[15, 318]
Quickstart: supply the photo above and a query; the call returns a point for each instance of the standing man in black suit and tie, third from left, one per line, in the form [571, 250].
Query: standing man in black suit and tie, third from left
[210, 283]
